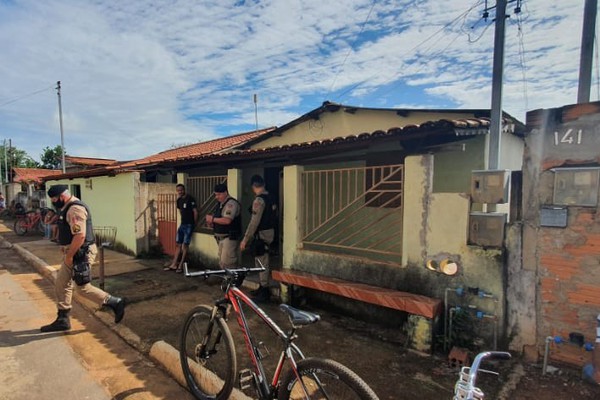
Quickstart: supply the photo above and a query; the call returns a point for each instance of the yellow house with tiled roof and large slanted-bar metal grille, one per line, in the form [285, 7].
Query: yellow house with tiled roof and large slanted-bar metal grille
[373, 195]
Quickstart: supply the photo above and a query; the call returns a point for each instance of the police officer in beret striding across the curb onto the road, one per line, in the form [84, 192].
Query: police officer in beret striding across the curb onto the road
[76, 235]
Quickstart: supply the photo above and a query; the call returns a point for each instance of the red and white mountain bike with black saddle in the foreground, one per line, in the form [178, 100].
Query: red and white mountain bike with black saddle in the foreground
[209, 363]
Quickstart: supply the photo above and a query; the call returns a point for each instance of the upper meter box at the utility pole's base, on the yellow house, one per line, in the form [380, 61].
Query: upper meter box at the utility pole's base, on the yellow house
[490, 186]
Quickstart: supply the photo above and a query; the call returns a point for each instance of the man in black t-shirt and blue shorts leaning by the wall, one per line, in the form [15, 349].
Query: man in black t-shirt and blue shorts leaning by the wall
[189, 217]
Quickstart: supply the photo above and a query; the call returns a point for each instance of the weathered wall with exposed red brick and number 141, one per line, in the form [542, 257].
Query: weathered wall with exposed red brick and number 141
[557, 284]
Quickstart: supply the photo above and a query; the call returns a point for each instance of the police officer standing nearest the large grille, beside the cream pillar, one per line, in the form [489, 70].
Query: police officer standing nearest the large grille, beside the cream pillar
[261, 231]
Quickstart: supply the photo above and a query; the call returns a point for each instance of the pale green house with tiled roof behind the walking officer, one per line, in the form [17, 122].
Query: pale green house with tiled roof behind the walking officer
[125, 195]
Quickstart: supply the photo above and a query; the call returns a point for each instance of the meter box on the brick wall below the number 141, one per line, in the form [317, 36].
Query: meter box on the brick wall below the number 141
[576, 186]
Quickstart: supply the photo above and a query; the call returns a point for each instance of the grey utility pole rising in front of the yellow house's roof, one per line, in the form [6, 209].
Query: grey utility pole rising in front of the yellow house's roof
[497, 80]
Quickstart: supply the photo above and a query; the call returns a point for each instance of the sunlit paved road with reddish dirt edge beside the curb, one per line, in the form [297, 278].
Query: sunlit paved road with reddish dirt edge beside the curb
[89, 362]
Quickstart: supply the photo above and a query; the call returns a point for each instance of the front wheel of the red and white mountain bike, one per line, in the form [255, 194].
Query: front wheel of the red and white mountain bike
[207, 354]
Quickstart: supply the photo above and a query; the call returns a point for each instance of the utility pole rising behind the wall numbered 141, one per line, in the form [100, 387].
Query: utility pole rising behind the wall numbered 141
[587, 50]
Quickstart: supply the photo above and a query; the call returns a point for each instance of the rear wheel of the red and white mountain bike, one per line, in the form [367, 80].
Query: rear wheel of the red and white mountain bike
[324, 379]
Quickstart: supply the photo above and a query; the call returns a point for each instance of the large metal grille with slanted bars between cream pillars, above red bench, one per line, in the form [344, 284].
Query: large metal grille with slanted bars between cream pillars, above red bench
[354, 211]
